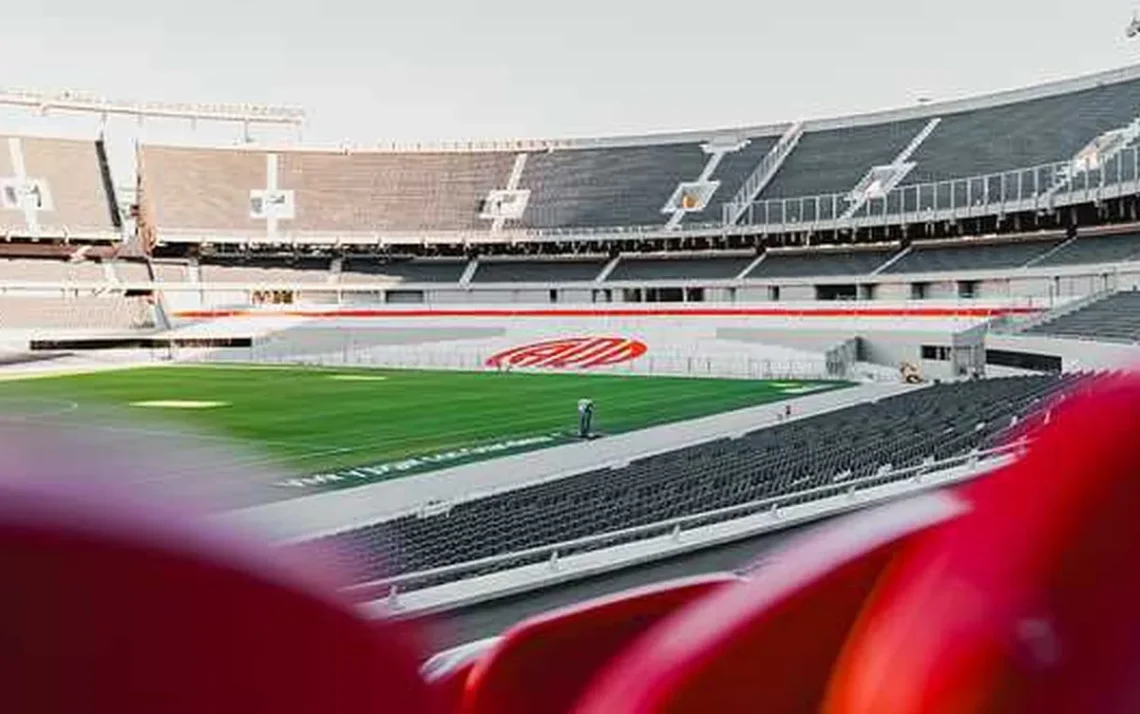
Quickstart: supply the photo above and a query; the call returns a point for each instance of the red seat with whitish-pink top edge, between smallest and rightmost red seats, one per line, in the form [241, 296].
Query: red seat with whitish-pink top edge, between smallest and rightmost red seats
[768, 645]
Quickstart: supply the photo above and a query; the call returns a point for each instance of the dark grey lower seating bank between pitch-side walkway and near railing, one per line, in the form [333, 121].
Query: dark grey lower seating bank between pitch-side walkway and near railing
[815, 453]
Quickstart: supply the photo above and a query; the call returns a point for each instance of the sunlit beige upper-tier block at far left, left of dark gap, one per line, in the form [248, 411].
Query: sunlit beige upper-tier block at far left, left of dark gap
[68, 181]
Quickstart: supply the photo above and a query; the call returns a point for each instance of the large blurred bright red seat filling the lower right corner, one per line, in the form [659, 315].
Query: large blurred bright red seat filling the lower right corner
[1030, 603]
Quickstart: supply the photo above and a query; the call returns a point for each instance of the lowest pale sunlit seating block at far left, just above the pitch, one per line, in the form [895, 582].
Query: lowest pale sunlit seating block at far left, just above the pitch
[97, 313]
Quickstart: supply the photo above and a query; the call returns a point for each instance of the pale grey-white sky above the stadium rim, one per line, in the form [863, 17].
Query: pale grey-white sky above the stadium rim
[433, 70]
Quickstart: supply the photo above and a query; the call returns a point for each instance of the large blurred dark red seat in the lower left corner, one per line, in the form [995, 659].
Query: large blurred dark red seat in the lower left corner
[117, 608]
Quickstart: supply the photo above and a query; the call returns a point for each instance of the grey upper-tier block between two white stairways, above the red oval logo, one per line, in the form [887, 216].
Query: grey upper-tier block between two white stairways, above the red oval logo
[599, 188]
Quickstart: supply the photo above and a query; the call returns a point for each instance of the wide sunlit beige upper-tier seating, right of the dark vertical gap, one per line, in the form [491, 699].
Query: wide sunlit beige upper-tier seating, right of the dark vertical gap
[209, 190]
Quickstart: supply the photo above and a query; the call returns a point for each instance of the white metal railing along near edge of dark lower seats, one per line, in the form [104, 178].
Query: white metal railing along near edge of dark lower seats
[680, 524]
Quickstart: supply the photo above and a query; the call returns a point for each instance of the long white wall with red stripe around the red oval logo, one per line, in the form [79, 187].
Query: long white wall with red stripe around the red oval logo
[786, 339]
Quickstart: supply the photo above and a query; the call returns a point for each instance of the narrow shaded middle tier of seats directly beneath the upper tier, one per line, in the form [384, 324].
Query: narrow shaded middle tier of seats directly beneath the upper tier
[777, 264]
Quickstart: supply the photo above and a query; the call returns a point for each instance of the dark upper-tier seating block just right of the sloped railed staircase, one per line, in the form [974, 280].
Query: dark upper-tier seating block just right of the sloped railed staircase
[835, 161]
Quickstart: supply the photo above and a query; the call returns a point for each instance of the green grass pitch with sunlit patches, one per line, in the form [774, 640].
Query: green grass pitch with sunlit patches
[322, 420]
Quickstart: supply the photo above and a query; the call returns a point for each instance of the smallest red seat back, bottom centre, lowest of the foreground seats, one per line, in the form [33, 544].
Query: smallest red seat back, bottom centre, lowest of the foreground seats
[544, 664]
